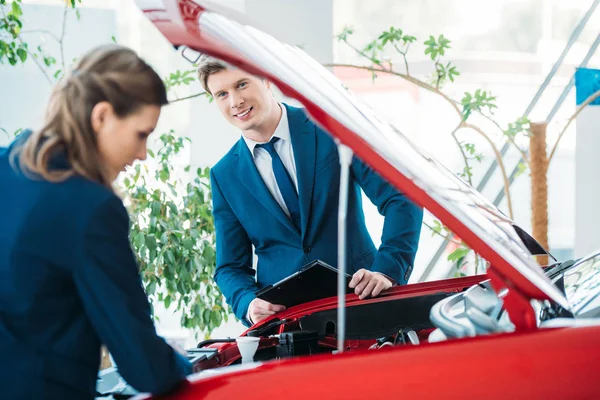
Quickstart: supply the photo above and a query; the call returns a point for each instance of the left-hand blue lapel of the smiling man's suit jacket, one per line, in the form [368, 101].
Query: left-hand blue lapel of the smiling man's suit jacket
[246, 171]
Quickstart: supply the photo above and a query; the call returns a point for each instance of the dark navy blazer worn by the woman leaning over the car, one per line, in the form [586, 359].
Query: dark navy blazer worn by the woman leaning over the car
[69, 282]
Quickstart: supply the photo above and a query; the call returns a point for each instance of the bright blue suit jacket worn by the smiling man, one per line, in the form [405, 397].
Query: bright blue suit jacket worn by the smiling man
[246, 214]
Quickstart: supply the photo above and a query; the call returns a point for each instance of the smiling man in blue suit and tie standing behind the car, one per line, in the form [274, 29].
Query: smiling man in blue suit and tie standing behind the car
[277, 190]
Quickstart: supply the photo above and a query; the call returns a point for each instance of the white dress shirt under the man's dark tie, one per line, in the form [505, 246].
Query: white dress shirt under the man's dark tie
[264, 163]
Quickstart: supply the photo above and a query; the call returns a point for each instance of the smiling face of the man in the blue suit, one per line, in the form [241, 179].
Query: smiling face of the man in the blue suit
[244, 100]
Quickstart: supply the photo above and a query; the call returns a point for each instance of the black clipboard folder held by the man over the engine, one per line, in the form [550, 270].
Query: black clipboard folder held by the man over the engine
[316, 280]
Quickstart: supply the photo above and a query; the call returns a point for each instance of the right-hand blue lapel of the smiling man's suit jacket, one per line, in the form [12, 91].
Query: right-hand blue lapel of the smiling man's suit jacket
[304, 141]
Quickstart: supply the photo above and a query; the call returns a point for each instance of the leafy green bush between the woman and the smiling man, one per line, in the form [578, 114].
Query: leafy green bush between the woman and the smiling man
[172, 232]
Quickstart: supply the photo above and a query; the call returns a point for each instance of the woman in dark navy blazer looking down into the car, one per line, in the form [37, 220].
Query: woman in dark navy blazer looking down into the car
[68, 278]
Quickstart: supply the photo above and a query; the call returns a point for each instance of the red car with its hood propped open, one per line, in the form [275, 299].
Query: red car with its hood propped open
[519, 331]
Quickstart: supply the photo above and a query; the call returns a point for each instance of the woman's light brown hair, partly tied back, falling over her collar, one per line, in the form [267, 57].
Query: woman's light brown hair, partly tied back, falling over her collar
[110, 73]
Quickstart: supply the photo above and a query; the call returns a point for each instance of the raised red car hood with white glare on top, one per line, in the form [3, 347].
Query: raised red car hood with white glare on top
[214, 30]
